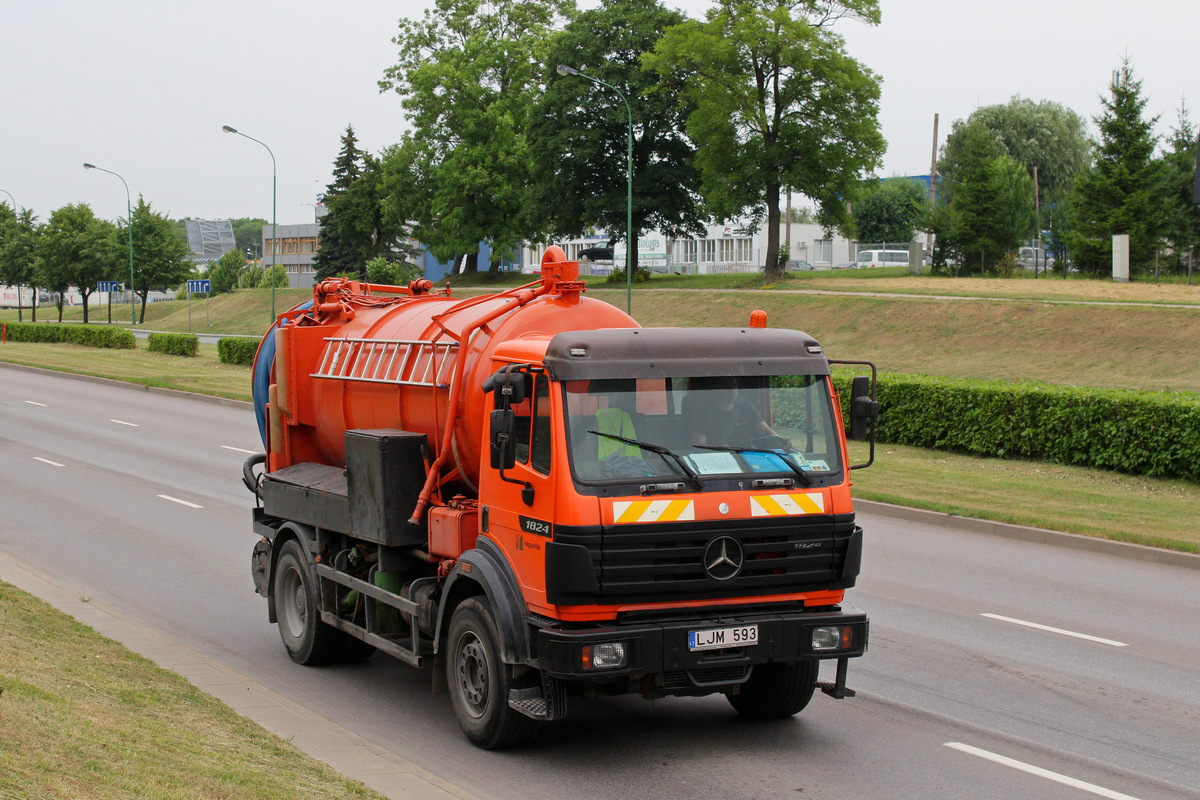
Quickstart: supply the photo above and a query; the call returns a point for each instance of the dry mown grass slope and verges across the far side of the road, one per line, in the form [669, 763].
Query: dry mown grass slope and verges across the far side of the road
[1067, 333]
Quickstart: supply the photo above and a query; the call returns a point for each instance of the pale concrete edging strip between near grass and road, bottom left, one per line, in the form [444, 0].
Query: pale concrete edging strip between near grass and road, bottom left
[307, 731]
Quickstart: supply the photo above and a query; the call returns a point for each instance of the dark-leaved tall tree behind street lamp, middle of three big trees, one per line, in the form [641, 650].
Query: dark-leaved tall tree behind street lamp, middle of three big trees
[579, 135]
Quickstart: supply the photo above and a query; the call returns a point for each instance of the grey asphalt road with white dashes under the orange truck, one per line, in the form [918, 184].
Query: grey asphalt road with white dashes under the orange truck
[998, 669]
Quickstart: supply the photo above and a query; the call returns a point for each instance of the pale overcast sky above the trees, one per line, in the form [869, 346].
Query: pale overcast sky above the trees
[142, 88]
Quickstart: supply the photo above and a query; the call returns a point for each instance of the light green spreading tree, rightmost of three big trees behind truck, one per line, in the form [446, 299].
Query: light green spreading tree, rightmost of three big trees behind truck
[777, 103]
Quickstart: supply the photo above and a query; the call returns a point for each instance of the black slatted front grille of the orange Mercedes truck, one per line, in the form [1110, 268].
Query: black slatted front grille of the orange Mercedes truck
[651, 563]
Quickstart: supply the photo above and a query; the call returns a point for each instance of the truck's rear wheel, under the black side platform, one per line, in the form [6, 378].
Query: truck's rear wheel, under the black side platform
[308, 640]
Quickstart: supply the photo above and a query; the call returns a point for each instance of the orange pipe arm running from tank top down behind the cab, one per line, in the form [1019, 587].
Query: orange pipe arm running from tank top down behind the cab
[549, 282]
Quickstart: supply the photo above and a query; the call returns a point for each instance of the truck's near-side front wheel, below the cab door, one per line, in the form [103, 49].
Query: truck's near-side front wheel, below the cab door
[481, 682]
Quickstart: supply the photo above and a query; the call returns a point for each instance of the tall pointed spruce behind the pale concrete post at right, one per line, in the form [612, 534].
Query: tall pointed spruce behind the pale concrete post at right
[1124, 193]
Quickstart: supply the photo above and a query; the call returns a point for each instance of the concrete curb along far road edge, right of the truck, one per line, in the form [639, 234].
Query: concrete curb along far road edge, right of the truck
[1040, 536]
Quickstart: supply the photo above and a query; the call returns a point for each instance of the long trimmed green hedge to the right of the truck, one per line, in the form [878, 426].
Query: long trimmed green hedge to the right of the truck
[1156, 435]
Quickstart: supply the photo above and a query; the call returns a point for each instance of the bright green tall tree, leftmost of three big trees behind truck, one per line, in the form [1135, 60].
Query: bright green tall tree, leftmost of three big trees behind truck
[470, 77]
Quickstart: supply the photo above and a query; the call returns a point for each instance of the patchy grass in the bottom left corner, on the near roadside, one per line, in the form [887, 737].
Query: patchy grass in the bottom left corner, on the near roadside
[82, 717]
